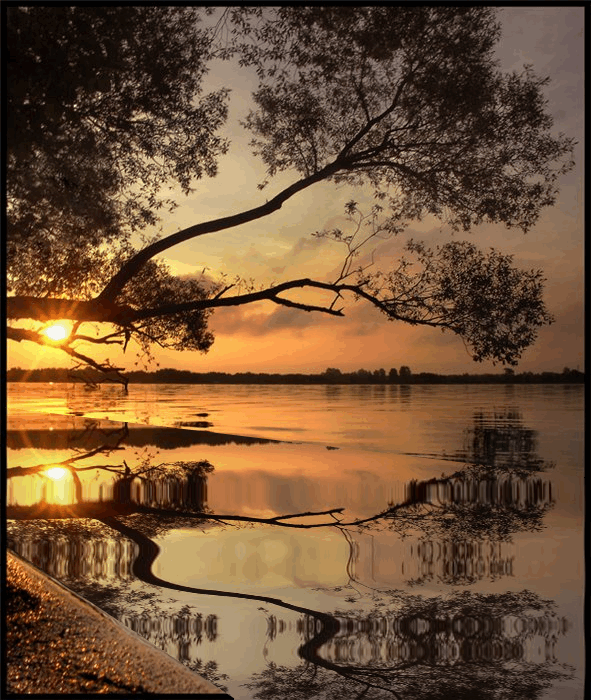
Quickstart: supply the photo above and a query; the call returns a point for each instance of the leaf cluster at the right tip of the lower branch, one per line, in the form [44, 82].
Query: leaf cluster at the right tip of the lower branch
[494, 307]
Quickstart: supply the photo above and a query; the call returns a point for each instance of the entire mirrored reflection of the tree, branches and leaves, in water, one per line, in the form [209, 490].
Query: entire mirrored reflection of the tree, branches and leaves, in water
[465, 645]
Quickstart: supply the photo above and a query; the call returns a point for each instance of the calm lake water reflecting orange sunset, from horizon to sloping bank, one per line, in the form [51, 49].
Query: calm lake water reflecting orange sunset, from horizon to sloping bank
[450, 566]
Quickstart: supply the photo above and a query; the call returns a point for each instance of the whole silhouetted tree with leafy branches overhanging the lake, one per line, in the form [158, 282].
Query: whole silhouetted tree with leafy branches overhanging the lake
[405, 102]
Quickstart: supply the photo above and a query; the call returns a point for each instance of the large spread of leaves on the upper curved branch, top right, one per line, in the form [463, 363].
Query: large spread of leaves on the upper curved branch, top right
[409, 99]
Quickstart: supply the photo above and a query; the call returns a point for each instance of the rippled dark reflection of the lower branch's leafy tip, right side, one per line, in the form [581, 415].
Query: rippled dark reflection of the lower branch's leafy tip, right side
[462, 522]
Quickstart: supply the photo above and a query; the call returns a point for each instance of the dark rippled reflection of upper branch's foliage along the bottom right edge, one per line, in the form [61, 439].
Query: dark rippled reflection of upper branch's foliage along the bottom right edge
[468, 646]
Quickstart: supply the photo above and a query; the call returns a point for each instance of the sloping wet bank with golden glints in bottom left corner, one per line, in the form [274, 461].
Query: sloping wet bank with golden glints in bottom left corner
[59, 643]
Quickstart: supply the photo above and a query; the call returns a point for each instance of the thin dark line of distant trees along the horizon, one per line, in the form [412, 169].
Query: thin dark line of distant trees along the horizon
[331, 375]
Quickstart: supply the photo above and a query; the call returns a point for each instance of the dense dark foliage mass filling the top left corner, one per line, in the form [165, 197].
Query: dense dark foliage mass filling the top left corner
[92, 133]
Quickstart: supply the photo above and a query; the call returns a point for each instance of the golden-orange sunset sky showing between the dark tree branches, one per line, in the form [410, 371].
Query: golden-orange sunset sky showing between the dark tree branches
[267, 338]
